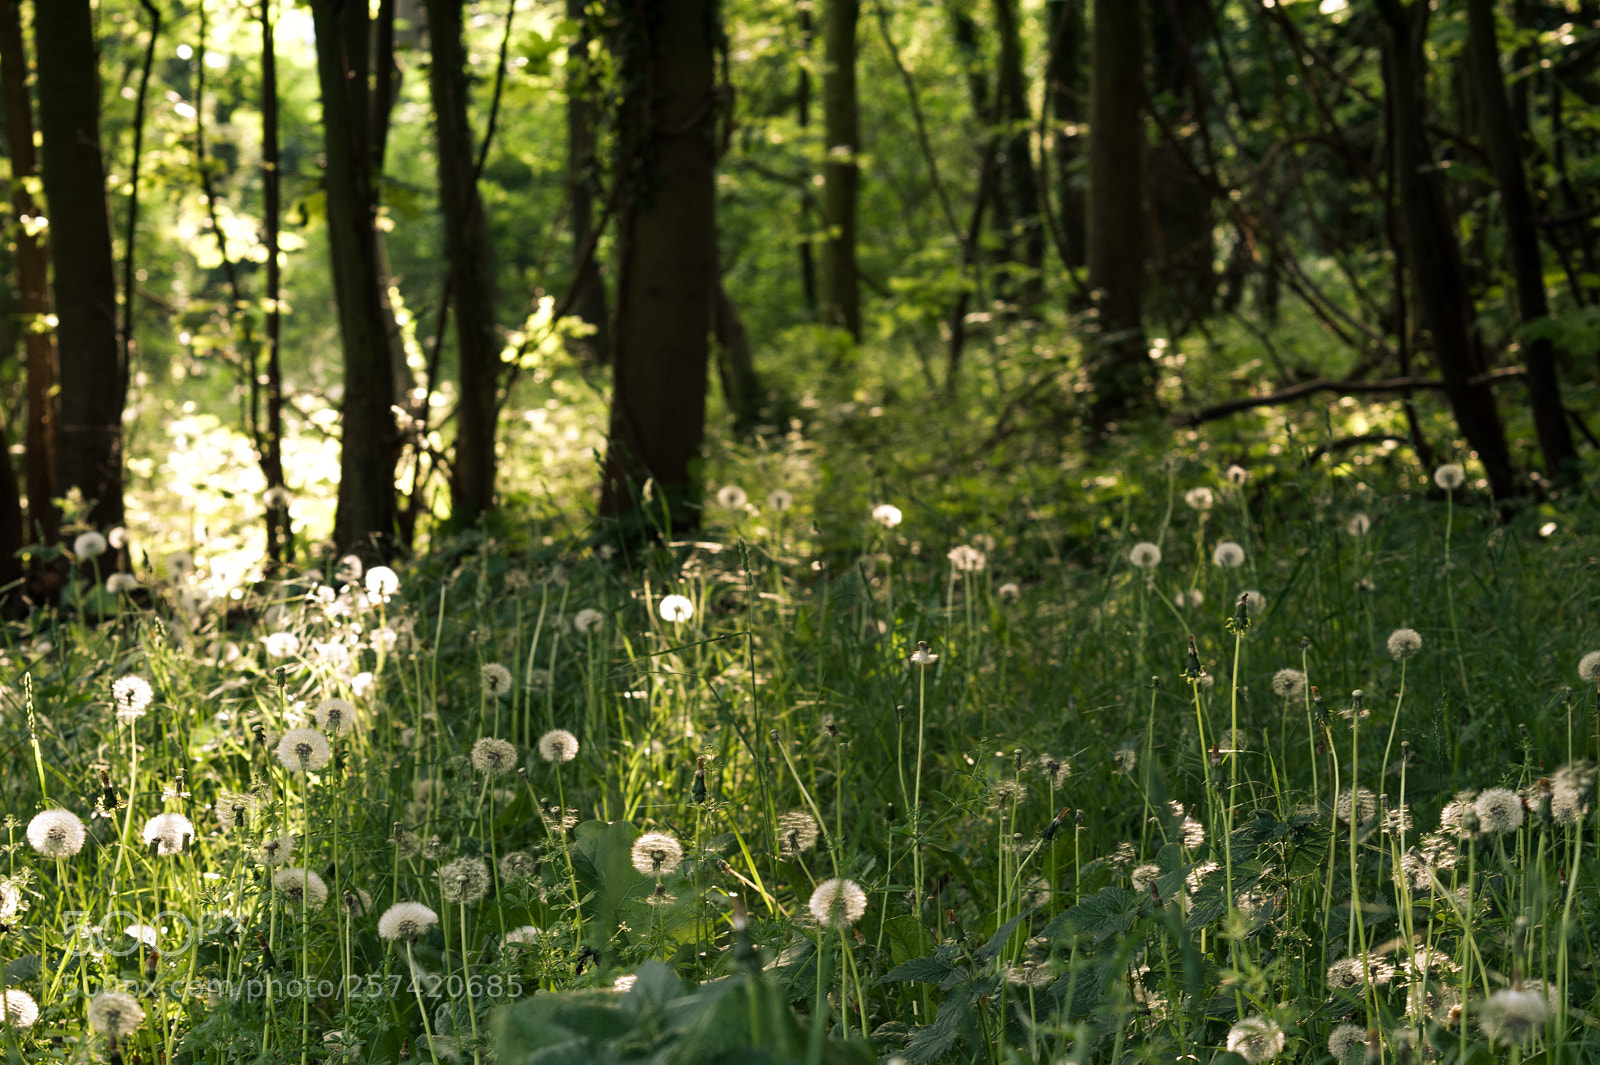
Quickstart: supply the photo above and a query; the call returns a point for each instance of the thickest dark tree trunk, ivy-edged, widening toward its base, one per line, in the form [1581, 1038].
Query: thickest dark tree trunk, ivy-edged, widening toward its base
[668, 273]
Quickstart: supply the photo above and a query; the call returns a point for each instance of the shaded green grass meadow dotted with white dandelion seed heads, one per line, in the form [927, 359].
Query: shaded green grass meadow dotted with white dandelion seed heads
[1278, 764]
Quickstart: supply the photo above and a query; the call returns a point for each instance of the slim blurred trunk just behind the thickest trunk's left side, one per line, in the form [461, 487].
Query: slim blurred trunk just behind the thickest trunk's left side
[590, 289]
